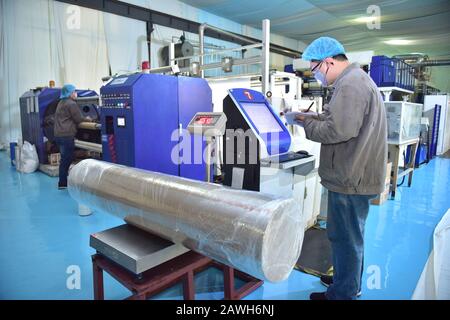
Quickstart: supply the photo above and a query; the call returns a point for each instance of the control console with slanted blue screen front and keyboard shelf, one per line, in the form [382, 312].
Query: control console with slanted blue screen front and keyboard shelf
[257, 147]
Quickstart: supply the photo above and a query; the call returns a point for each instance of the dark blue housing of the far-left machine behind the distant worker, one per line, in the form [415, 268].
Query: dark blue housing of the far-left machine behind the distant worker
[35, 106]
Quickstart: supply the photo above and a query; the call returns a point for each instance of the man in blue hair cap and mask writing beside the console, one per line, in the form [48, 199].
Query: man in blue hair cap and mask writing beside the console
[353, 132]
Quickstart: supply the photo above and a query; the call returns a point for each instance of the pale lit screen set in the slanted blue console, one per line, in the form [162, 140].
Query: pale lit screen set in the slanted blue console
[261, 117]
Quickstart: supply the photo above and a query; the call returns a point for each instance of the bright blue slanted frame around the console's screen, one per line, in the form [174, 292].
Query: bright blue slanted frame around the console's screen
[276, 143]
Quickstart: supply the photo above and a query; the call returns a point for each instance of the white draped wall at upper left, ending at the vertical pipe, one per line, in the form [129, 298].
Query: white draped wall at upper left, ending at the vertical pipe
[42, 40]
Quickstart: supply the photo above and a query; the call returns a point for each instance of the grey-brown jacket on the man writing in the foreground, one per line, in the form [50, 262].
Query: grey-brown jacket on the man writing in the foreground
[353, 133]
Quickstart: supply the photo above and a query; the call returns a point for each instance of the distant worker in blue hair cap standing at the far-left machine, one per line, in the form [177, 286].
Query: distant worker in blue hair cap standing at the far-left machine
[67, 118]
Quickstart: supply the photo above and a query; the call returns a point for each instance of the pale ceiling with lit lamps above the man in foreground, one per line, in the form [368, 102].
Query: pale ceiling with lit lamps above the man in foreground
[424, 22]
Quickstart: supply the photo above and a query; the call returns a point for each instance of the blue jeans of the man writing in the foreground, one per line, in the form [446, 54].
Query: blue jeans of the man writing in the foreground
[346, 220]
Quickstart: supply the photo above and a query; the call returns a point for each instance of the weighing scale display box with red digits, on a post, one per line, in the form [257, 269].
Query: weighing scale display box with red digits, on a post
[208, 124]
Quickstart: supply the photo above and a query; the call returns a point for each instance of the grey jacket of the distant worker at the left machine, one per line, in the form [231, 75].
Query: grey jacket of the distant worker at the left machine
[67, 118]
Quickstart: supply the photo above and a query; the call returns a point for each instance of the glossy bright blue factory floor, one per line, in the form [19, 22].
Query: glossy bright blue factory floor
[41, 236]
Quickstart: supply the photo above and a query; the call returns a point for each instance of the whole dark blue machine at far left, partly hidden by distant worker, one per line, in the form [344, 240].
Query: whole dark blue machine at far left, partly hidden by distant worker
[37, 109]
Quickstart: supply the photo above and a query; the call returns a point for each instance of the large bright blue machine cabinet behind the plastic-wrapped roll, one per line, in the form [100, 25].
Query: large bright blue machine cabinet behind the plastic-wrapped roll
[142, 120]
